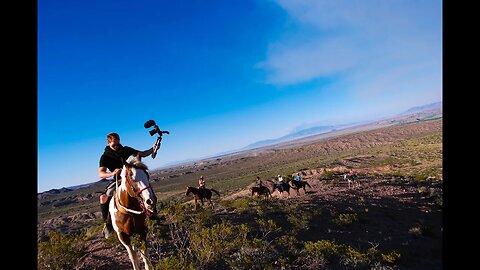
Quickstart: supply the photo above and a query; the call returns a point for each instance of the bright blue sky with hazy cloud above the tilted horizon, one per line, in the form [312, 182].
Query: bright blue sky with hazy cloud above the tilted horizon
[221, 74]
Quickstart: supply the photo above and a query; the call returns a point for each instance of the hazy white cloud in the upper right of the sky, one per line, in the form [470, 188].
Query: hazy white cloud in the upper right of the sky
[384, 41]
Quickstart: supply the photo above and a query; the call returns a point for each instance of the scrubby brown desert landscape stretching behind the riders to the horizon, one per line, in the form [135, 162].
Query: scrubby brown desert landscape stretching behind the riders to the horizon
[391, 220]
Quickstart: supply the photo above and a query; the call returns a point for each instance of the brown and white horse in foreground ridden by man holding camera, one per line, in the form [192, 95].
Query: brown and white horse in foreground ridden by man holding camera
[133, 200]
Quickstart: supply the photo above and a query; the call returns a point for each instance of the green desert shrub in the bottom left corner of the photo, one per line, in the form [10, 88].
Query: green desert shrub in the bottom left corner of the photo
[60, 251]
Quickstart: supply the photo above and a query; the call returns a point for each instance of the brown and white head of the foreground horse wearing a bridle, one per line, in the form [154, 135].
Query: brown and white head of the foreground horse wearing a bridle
[137, 181]
